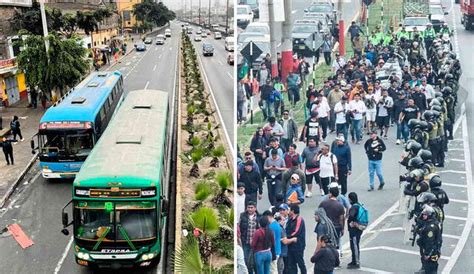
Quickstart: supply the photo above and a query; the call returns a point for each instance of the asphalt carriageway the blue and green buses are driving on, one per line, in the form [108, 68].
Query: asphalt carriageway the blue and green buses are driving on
[36, 205]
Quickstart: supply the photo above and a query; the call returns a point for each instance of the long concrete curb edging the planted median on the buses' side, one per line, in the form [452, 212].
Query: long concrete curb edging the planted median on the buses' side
[179, 164]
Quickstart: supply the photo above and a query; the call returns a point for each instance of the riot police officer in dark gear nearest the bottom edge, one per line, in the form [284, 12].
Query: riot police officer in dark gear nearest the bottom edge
[430, 245]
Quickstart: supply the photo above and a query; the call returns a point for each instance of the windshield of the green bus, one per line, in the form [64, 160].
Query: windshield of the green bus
[115, 221]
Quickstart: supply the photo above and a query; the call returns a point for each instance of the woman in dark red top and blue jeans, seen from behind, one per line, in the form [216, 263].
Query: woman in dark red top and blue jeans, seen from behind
[262, 244]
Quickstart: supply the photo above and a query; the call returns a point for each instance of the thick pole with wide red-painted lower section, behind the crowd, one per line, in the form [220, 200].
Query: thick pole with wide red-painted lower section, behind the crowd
[287, 44]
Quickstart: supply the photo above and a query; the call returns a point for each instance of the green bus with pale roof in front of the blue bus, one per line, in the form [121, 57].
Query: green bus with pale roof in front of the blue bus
[119, 195]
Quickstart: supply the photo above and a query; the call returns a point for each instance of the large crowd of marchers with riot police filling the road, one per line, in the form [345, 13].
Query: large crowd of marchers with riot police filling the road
[403, 80]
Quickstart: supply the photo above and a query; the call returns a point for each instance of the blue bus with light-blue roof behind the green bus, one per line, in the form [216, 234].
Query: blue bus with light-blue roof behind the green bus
[70, 128]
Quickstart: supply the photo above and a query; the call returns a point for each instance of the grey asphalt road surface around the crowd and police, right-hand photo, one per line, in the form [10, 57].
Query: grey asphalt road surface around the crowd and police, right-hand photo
[382, 246]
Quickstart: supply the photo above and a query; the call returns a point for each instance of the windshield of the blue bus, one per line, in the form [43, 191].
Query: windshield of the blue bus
[65, 145]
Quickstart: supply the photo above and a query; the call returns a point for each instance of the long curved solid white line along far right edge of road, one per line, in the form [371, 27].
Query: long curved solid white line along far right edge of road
[470, 215]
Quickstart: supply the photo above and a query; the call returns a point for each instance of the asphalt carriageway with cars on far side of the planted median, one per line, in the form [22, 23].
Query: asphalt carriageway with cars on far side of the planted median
[219, 76]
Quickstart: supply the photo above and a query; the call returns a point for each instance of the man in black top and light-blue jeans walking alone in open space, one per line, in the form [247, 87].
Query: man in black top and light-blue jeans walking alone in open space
[374, 147]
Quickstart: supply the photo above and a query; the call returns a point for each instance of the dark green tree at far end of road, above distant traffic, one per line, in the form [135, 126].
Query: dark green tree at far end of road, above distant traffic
[152, 12]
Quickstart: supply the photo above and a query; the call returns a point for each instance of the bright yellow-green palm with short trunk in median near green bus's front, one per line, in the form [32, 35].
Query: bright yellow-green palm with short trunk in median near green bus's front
[206, 222]
